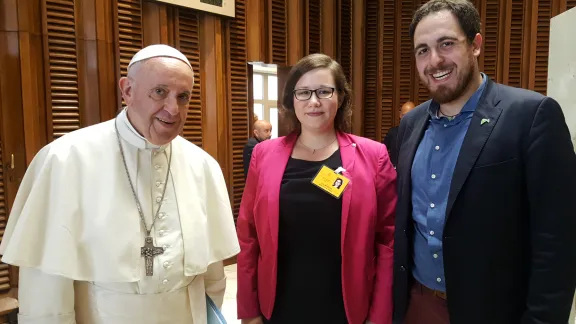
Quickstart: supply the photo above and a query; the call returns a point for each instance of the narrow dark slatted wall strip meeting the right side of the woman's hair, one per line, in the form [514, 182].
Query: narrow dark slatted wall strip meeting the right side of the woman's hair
[345, 41]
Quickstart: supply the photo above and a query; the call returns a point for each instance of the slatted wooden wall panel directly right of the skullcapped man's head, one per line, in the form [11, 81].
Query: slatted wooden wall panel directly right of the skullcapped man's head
[188, 43]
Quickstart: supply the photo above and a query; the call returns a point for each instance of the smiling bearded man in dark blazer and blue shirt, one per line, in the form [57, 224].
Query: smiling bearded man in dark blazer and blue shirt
[486, 217]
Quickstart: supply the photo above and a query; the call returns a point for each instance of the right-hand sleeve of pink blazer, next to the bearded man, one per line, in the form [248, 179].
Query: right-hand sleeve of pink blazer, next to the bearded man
[381, 307]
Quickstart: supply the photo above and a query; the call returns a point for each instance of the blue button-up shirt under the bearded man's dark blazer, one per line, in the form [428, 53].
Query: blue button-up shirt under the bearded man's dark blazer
[432, 172]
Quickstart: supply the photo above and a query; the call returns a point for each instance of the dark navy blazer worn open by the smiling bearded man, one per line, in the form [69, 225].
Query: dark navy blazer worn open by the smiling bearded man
[509, 241]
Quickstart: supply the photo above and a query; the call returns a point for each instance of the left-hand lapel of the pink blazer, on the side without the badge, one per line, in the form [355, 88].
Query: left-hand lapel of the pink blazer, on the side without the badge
[277, 166]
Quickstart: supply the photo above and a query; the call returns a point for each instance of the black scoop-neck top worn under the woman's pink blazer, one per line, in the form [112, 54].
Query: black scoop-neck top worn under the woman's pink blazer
[309, 285]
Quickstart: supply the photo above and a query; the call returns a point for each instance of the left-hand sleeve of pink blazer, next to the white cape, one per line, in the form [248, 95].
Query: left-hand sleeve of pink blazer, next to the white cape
[247, 260]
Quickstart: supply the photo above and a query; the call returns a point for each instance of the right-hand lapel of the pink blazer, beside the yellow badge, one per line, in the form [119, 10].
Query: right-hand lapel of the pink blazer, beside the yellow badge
[347, 154]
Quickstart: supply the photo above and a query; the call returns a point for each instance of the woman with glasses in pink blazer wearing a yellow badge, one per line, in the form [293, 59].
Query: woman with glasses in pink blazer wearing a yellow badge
[310, 252]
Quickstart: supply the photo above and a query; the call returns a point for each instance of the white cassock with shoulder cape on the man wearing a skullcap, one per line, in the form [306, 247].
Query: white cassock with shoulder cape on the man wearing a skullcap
[76, 233]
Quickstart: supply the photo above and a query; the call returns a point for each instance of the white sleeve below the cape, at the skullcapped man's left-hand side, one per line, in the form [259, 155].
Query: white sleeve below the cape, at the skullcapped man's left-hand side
[44, 298]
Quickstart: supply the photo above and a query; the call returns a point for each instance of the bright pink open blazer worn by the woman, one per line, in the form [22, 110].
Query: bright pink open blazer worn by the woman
[368, 207]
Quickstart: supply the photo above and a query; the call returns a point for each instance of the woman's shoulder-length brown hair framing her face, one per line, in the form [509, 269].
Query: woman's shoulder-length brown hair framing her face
[305, 65]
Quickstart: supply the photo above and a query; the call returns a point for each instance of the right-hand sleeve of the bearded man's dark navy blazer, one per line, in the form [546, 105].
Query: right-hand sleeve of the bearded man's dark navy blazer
[550, 172]
